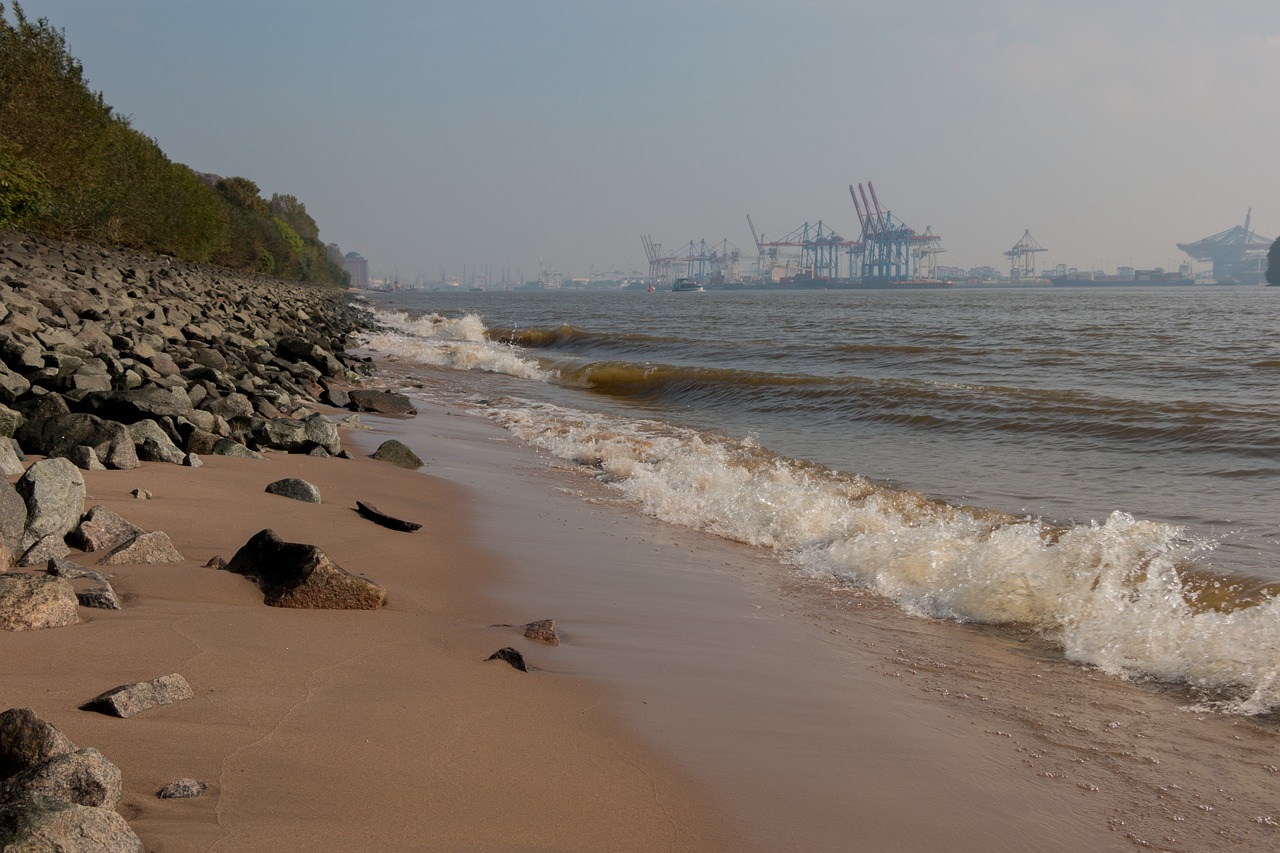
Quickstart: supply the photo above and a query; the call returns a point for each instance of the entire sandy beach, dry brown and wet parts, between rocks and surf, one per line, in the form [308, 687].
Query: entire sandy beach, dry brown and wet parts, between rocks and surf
[700, 701]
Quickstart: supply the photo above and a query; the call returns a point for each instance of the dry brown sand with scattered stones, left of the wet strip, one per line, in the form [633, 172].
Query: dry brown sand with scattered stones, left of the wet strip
[327, 731]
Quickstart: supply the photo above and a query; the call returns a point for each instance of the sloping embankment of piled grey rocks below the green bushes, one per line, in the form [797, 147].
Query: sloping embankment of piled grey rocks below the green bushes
[109, 358]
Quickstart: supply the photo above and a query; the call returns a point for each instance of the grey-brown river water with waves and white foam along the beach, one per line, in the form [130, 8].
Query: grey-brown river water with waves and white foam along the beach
[1099, 466]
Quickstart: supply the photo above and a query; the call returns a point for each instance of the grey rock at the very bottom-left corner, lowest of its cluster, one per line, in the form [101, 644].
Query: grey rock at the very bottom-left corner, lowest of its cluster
[49, 827]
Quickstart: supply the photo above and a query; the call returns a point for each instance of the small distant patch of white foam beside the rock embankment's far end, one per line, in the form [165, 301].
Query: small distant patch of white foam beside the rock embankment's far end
[449, 343]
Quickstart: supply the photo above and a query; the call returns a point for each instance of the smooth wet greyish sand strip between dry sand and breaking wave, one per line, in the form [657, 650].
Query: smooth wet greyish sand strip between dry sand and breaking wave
[829, 720]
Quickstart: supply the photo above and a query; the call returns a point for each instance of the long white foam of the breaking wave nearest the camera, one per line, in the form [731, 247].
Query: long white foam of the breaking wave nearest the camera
[1108, 592]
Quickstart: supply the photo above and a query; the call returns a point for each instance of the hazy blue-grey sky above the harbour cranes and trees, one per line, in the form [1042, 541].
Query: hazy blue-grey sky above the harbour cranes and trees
[506, 135]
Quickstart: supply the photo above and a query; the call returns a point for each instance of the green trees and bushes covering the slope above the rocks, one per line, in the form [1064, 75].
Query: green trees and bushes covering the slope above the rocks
[72, 168]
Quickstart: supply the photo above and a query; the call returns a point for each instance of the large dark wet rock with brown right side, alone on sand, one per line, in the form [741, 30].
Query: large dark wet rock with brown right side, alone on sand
[301, 576]
